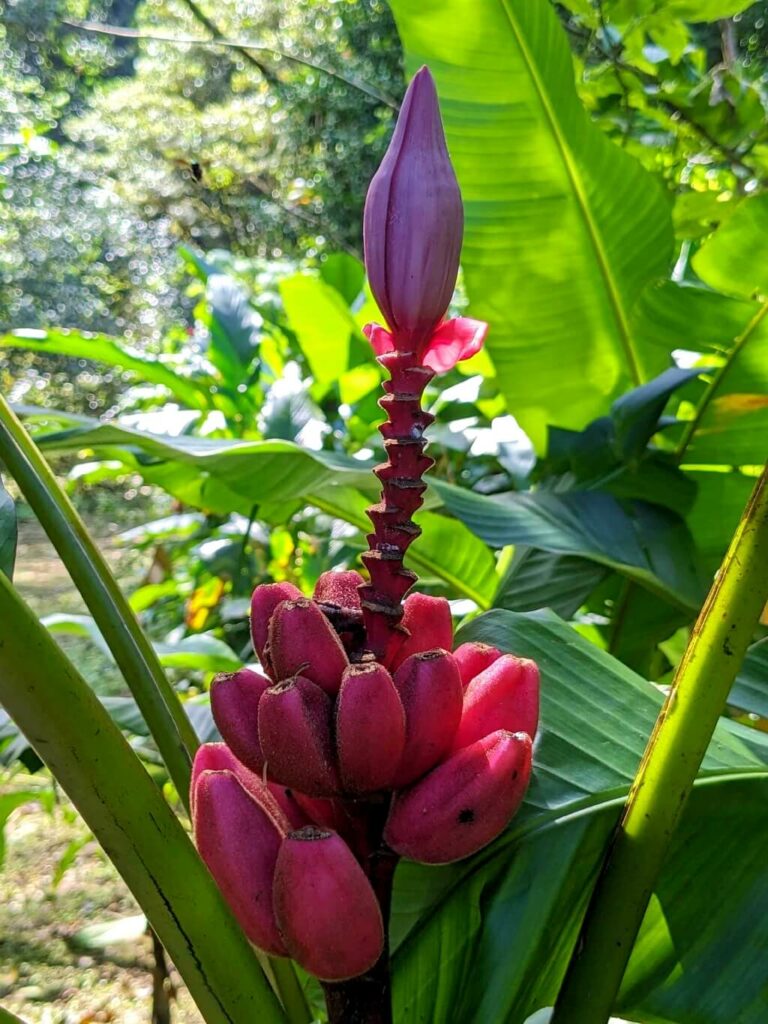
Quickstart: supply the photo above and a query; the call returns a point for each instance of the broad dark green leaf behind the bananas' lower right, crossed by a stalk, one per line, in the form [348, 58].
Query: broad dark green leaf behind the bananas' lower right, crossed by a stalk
[489, 940]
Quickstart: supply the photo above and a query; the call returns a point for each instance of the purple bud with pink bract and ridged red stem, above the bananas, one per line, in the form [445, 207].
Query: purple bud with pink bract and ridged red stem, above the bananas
[413, 234]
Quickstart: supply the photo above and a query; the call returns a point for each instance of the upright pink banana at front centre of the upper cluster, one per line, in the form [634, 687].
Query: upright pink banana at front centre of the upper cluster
[370, 729]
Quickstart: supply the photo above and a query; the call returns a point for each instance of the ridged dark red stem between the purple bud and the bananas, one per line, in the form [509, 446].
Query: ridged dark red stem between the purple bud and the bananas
[403, 489]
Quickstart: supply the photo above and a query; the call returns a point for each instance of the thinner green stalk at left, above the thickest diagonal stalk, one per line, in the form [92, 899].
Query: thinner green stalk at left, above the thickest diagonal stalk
[134, 653]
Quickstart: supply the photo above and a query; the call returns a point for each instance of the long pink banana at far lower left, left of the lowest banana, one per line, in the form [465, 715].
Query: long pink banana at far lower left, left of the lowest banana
[239, 843]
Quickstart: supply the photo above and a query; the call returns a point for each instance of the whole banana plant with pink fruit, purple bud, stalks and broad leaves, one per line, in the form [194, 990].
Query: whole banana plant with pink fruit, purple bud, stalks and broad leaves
[378, 770]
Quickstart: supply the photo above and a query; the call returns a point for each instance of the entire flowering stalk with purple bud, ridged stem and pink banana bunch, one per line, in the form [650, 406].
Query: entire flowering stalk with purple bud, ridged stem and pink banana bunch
[367, 738]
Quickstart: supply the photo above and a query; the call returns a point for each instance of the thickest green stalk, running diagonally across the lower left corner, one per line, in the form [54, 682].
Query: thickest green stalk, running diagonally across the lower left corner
[88, 754]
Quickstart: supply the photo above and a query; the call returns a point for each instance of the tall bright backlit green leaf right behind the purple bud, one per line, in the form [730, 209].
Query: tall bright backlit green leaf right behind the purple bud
[564, 229]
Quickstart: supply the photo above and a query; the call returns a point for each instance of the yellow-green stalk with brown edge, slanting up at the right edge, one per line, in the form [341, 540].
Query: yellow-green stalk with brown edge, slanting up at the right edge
[670, 764]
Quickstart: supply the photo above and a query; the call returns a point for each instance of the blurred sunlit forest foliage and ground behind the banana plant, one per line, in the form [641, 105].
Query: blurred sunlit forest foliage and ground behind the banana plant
[182, 188]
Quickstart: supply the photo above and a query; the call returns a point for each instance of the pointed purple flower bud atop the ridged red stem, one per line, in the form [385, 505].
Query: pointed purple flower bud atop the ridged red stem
[414, 222]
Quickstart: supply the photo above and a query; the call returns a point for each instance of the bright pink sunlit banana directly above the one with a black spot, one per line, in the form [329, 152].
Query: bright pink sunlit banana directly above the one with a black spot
[504, 697]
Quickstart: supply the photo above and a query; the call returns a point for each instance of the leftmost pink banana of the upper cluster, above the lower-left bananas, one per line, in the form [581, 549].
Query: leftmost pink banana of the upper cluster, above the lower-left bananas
[235, 703]
